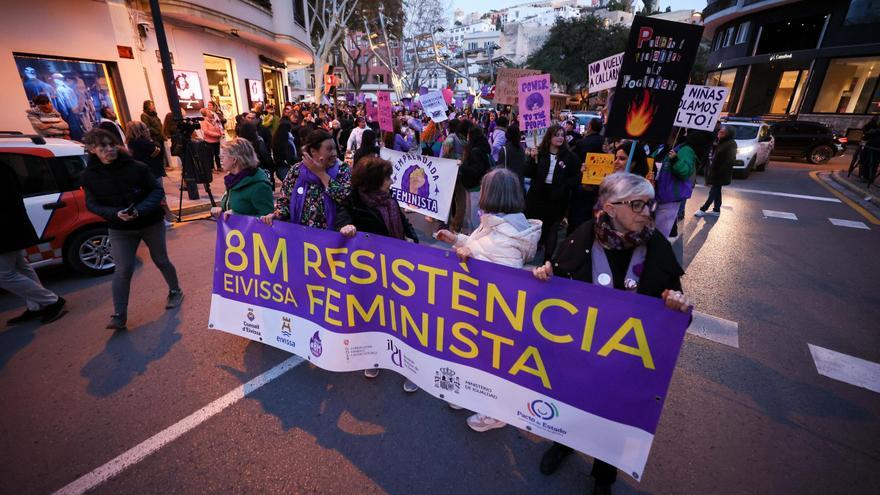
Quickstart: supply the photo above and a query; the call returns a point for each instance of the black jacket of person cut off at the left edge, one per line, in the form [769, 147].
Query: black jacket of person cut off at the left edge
[18, 232]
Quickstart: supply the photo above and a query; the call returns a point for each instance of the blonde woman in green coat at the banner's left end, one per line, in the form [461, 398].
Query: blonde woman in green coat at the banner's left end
[248, 191]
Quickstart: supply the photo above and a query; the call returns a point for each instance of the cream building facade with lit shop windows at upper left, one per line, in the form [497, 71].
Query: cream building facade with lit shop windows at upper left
[87, 54]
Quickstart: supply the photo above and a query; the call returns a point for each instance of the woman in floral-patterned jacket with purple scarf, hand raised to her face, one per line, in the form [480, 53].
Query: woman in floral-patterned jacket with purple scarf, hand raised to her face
[315, 188]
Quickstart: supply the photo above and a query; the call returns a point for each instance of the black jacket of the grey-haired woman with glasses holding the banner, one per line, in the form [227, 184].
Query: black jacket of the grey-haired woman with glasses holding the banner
[661, 270]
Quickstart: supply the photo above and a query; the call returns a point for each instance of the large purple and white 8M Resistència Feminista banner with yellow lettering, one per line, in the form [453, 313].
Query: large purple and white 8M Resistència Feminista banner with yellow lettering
[577, 363]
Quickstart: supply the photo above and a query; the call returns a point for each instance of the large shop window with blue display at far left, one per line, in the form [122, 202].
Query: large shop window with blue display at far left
[78, 88]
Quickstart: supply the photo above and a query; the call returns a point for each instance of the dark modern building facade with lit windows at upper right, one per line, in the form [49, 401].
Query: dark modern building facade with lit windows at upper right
[811, 59]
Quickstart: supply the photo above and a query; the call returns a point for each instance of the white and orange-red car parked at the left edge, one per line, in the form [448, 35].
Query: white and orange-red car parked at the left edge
[49, 172]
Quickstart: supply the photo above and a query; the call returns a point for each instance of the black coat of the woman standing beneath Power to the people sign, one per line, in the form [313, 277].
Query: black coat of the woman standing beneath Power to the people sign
[549, 201]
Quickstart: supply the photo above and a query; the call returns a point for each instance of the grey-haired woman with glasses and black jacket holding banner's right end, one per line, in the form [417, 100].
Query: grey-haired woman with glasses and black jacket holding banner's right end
[622, 250]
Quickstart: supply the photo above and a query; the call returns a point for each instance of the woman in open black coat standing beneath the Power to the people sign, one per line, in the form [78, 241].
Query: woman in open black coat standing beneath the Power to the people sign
[555, 172]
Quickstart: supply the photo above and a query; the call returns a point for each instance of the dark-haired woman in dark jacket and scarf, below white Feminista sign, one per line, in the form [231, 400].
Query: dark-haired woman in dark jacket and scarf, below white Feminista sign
[373, 210]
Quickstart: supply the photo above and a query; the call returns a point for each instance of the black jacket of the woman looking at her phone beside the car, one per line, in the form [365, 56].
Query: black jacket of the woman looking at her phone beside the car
[116, 186]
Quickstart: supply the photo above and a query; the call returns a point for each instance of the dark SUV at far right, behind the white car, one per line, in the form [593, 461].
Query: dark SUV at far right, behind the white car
[801, 139]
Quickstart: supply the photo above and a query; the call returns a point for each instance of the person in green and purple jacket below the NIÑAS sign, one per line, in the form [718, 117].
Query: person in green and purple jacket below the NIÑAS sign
[674, 184]
